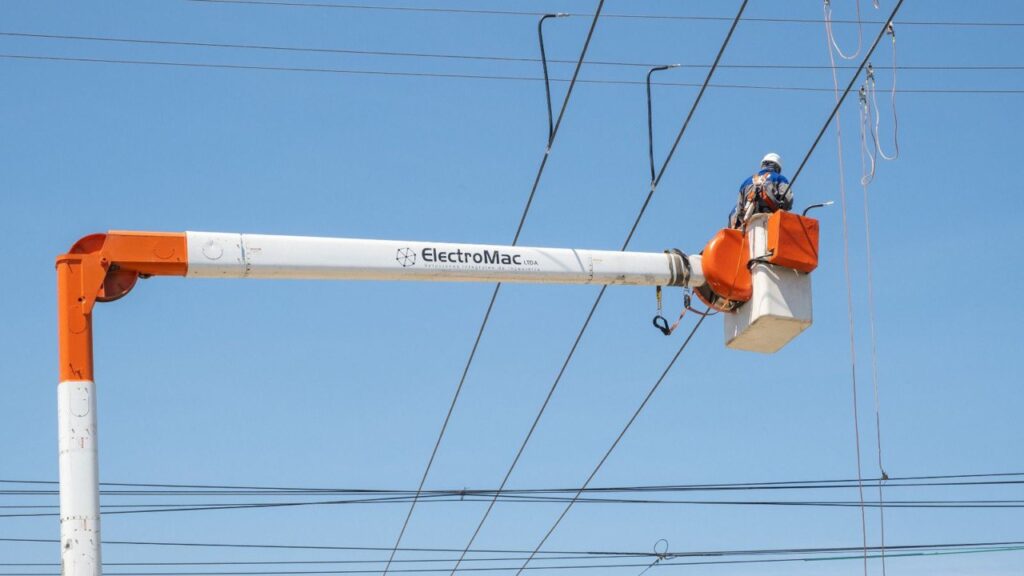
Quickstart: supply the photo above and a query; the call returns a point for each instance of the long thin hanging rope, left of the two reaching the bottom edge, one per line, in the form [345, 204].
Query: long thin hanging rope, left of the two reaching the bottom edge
[849, 291]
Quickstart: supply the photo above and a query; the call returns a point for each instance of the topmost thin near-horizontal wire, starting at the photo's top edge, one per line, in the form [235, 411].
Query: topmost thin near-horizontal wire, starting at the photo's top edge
[492, 13]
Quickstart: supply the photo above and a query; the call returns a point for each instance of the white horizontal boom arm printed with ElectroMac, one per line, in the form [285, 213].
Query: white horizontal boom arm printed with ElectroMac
[252, 256]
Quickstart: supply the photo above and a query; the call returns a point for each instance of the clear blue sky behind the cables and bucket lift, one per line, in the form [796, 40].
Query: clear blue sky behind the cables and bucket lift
[329, 385]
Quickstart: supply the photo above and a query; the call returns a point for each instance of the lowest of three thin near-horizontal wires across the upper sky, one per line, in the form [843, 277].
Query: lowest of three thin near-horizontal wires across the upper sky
[435, 75]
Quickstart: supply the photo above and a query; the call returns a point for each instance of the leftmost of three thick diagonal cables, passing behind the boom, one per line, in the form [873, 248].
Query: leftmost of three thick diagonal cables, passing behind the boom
[494, 296]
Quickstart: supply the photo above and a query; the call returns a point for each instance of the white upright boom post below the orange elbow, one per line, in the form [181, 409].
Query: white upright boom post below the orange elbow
[79, 479]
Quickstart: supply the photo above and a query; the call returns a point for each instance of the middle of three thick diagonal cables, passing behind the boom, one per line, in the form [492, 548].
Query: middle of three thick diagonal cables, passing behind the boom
[601, 296]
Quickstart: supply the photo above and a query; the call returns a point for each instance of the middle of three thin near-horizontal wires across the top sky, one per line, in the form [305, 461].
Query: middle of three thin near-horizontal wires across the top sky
[475, 58]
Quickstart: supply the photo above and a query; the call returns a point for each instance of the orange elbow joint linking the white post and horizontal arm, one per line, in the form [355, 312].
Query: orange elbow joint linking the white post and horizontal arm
[104, 268]
